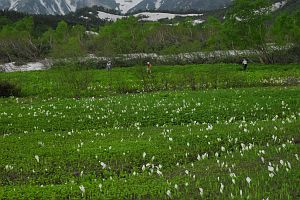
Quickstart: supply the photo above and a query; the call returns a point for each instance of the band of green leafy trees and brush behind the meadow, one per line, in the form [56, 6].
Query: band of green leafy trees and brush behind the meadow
[248, 24]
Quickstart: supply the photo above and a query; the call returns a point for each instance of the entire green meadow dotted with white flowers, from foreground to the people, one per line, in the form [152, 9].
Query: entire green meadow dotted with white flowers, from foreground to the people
[184, 132]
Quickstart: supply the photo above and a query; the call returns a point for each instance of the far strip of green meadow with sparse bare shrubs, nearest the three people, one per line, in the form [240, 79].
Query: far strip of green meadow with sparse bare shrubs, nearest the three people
[72, 81]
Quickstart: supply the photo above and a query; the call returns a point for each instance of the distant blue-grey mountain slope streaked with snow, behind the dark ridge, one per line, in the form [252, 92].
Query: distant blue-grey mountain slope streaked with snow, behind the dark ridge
[63, 7]
